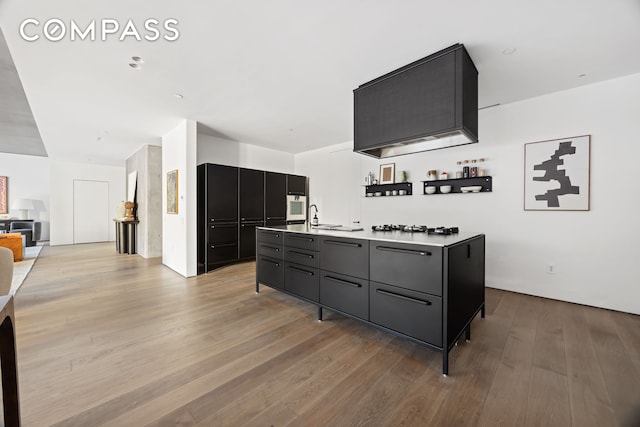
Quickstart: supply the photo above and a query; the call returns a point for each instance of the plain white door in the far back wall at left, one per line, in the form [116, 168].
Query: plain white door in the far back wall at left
[90, 211]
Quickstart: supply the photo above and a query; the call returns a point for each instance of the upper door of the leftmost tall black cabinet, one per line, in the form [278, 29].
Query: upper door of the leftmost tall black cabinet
[222, 193]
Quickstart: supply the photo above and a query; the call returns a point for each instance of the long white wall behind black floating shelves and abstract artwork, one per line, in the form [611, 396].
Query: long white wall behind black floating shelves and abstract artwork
[594, 253]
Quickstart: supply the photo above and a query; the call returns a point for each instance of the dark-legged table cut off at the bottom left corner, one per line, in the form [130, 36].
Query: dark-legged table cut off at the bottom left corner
[10, 397]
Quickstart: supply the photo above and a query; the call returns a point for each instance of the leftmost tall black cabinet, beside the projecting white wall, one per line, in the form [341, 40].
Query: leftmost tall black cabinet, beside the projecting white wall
[217, 216]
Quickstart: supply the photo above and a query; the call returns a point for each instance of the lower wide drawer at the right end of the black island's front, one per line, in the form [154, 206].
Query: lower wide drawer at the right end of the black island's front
[411, 313]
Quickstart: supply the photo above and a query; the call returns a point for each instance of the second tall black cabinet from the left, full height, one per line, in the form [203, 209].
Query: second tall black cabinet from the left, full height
[251, 209]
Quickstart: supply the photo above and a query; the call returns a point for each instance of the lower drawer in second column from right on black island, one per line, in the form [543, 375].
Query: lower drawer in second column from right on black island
[345, 293]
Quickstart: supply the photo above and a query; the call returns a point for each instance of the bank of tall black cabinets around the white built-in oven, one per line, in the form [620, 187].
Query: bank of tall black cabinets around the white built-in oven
[232, 202]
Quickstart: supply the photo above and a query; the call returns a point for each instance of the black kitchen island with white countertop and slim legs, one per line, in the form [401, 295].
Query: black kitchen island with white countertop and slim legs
[423, 287]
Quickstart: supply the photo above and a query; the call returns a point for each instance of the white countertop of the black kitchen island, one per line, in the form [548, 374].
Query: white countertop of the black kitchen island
[385, 236]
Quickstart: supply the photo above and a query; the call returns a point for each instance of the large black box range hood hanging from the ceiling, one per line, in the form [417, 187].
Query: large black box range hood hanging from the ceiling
[429, 104]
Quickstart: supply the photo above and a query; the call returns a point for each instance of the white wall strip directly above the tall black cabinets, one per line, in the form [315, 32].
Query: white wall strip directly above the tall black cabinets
[225, 152]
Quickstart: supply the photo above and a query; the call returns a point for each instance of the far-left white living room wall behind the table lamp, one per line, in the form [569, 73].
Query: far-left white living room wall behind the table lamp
[28, 178]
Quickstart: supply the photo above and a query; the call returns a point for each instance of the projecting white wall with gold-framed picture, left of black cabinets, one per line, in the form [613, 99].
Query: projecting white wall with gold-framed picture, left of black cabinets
[179, 230]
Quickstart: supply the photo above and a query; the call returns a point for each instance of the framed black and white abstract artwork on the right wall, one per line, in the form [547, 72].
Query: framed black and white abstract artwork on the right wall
[556, 174]
